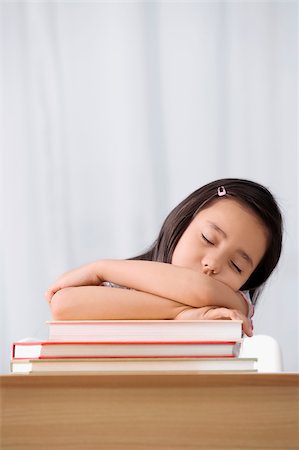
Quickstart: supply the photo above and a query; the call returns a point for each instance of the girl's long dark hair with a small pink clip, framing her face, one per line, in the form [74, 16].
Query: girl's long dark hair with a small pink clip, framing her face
[251, 194]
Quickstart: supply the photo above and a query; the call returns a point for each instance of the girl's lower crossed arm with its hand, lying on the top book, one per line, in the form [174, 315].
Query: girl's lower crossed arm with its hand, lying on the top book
[100, 303]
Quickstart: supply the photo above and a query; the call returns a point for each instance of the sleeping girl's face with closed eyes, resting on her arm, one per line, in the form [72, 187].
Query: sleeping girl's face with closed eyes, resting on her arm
[225, 241]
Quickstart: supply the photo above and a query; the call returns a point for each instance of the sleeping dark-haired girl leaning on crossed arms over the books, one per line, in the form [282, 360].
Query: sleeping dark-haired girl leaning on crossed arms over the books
[213, 254]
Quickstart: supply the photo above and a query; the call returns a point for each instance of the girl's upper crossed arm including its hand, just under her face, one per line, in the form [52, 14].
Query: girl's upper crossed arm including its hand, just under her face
[179, 284]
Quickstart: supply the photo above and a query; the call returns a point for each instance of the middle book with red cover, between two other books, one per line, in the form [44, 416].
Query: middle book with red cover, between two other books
[60, 349]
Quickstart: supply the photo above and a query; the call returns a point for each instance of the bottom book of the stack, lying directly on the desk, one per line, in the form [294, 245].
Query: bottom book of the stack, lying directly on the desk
[133, 365]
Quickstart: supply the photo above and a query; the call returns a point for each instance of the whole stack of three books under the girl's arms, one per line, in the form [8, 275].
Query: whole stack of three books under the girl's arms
[135, 346]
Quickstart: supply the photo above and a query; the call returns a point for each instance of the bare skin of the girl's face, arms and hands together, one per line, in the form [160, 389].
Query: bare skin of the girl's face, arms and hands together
[214, 257]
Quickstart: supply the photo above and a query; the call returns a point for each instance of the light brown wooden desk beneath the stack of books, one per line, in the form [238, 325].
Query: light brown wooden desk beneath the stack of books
[145, 412]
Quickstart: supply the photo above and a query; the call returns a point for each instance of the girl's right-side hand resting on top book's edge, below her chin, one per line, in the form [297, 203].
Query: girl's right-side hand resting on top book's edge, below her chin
[216, 313]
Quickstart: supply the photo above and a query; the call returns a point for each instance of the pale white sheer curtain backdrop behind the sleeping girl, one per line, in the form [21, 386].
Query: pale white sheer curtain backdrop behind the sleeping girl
[113, 112]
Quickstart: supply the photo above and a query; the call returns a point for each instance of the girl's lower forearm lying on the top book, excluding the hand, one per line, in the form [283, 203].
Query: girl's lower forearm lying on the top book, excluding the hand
[98, 302]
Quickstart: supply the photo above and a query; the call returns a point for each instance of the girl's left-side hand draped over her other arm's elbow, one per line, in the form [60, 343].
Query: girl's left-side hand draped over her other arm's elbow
[83, 276]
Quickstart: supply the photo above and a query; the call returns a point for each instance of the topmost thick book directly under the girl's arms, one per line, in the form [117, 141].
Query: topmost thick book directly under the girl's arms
[145, 330]
